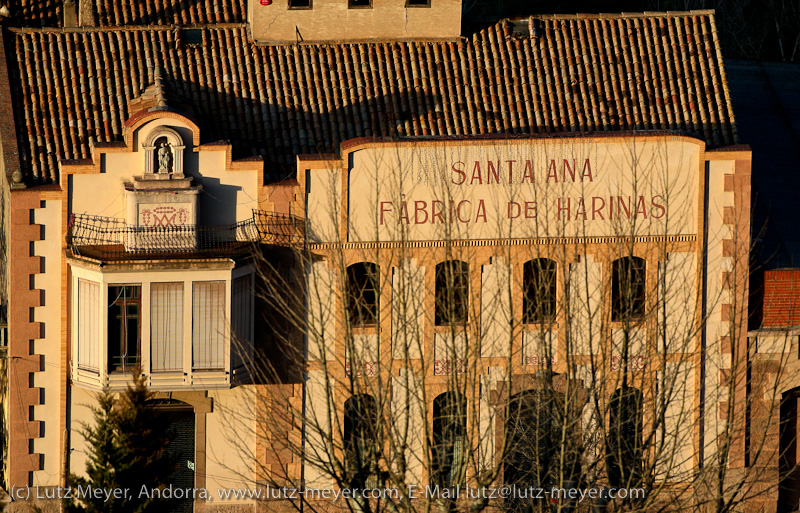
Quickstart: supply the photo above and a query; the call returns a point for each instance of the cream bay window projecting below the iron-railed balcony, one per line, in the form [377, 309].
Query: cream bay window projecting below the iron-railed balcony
[179, 332]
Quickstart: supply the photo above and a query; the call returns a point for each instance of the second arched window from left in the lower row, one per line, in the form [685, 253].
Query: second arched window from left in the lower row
[449, 439]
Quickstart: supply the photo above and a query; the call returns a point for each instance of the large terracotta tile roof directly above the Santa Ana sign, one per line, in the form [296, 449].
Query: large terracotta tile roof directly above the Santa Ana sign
[572, 74]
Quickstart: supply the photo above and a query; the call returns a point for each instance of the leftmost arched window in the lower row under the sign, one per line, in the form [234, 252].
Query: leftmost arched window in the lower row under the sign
[361, 441]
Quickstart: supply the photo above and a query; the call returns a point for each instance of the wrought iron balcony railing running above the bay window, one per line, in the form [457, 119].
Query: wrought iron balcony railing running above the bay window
[107, 238]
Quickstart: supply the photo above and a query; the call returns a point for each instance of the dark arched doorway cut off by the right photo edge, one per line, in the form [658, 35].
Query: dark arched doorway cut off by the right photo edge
[789, 487]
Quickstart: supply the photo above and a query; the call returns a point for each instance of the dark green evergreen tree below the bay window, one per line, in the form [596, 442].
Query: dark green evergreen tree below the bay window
[127, 451]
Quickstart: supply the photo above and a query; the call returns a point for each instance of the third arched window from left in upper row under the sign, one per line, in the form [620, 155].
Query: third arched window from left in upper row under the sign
[539, 290]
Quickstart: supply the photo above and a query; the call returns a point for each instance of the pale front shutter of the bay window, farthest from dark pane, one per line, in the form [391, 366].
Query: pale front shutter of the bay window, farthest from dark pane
[208, 325]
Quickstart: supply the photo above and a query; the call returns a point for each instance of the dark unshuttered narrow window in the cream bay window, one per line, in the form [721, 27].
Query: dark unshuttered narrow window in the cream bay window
[124, 327]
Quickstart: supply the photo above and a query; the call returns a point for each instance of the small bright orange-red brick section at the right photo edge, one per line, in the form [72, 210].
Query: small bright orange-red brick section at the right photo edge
[781, 298]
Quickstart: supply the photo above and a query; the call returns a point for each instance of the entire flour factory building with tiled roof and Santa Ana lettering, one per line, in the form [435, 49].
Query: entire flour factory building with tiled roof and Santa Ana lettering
[457, 236]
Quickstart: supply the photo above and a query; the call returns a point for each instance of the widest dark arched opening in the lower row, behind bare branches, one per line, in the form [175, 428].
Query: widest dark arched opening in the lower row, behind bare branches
[538, 455]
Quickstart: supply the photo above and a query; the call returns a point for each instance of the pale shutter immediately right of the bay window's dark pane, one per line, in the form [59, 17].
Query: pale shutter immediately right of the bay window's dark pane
[166, 327]
